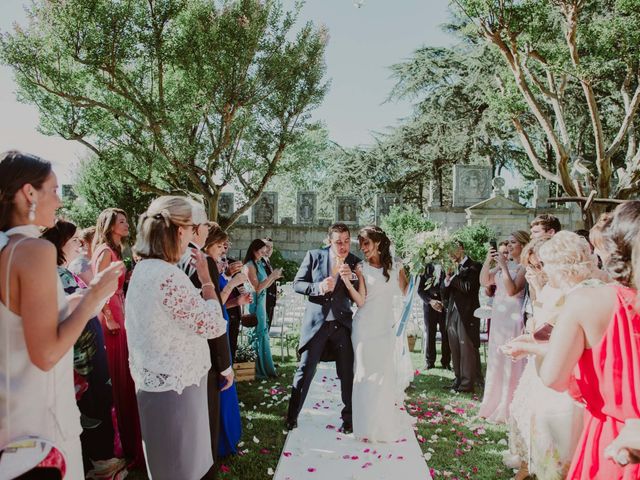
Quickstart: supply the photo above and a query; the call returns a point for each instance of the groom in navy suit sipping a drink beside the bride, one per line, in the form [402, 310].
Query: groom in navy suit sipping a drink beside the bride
[325, 333]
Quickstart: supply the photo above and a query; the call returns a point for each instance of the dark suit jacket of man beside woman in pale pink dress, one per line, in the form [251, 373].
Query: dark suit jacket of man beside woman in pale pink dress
[463, 292]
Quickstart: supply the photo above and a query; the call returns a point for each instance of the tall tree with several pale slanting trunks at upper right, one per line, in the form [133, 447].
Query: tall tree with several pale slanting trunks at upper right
[573, 83]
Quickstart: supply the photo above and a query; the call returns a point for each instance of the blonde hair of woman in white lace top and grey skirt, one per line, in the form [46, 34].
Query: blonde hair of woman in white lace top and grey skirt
[158, 228]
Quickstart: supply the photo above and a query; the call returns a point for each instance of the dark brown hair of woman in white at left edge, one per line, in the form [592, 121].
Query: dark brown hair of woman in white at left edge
[16, 170]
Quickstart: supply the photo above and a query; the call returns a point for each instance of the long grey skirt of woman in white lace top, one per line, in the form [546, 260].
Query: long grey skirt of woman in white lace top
[175, 433]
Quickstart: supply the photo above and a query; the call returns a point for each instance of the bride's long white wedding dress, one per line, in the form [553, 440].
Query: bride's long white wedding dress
[378, 385]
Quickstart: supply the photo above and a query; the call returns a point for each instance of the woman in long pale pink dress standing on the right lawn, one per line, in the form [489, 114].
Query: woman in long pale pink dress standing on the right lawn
[507, 323]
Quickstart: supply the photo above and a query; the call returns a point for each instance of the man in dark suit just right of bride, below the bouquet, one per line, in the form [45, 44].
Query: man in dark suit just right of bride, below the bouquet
[430, 291]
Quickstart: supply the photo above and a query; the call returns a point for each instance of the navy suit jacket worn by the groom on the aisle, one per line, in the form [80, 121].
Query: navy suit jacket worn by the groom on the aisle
[313, 270]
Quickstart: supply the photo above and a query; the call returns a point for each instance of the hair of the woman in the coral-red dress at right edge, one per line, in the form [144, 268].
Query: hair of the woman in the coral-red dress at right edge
[620, 236]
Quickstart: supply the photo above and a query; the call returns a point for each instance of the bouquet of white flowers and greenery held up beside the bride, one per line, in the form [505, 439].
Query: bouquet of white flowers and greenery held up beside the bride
[433, 247]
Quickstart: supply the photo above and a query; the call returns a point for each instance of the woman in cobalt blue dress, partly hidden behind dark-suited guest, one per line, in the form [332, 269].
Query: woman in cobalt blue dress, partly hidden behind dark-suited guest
[230, 432]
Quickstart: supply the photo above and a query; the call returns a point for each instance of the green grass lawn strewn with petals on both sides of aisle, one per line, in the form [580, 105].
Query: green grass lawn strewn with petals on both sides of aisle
[455, 443]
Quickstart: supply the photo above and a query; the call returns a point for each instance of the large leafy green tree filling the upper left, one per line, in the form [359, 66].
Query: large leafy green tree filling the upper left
[180, 96]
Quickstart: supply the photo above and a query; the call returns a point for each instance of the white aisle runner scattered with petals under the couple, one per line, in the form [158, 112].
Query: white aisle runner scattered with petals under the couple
[317, 450]
